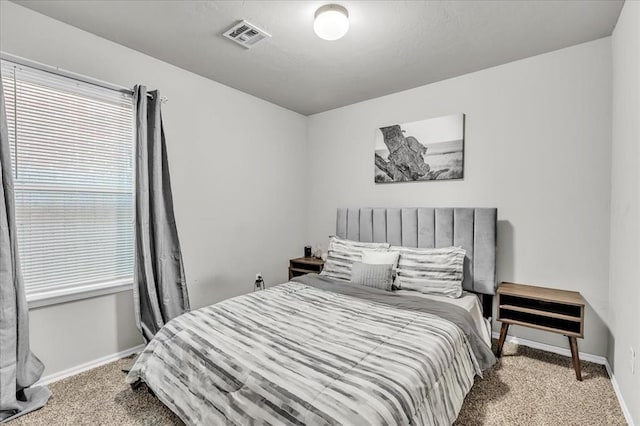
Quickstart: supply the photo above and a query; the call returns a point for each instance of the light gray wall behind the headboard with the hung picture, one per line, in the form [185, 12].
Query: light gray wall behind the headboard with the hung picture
[537, 148]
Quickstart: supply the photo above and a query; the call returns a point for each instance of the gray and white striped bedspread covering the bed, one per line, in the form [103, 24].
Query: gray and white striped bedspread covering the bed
[299, 354]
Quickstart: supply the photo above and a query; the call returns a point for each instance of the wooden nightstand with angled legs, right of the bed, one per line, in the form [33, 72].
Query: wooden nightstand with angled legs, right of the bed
[558, 311]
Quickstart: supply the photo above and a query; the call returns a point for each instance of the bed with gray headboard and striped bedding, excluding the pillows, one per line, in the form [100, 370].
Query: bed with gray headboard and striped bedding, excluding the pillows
[320, 351]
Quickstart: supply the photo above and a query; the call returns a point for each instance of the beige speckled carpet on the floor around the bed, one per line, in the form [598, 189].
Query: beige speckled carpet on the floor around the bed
[526, 387]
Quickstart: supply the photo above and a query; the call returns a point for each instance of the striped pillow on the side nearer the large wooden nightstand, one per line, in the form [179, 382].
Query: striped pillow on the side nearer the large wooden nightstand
[435, 271]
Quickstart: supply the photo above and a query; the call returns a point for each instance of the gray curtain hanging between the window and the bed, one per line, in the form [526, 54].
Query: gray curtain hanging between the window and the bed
[160, 289]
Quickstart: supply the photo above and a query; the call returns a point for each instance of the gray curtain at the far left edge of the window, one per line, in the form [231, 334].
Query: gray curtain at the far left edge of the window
[19, 368]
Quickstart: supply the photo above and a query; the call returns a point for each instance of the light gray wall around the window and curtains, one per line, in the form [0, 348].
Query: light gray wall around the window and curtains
[236, 171]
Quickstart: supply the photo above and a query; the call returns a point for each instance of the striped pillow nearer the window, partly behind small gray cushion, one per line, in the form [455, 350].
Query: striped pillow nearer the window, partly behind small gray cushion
[342, 254]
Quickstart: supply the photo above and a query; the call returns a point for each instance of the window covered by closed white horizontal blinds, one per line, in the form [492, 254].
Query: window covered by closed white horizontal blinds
[72, 163]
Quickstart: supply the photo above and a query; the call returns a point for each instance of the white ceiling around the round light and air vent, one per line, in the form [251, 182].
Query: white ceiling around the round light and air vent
[391, 45]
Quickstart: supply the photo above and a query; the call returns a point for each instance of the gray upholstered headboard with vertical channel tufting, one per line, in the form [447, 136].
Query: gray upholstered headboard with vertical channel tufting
[473, 229]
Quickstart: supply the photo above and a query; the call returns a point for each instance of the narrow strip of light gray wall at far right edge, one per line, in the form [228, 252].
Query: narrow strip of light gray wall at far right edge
[624, 290]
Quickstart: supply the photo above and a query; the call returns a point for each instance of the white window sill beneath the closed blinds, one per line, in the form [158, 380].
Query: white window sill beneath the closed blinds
[64, 295]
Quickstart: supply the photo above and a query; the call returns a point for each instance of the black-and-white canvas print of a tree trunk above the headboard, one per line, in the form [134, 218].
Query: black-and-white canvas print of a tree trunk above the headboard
[430, 149]
